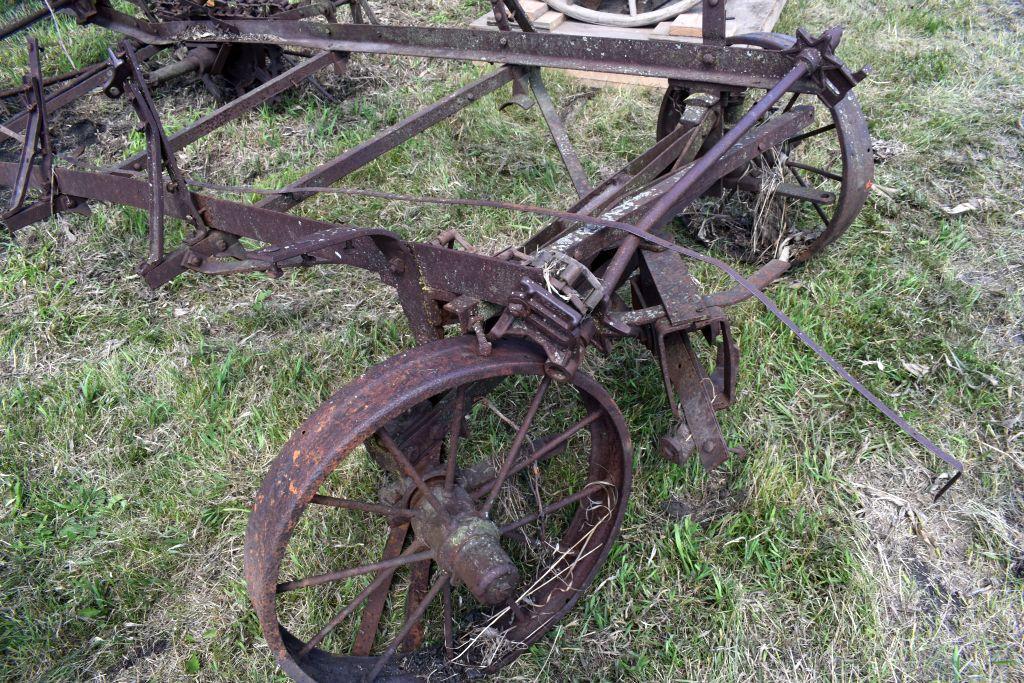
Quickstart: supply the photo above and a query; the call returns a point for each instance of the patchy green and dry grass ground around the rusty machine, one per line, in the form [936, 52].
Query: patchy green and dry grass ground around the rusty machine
[137, 425]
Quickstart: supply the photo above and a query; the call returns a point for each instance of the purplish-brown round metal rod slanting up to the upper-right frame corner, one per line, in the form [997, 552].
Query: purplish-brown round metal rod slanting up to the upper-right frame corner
[668, 204]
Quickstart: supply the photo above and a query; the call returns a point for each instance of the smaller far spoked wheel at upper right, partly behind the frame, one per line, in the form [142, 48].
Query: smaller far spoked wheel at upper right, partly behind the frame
[796, 199]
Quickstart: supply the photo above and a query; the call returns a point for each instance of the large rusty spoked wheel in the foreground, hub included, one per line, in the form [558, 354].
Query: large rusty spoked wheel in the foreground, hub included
[437, 517]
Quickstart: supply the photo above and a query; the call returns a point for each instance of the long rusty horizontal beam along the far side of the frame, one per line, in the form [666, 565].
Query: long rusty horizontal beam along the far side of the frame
[713, 65]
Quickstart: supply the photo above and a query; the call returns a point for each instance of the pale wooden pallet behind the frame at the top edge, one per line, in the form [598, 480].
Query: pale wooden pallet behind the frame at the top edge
[744, 17]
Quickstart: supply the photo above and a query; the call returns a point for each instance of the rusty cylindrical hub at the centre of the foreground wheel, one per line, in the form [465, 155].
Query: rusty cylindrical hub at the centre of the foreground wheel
[466, 545]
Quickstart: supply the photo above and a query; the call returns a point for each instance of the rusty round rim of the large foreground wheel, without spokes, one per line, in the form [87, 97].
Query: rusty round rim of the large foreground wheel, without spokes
[293, 480]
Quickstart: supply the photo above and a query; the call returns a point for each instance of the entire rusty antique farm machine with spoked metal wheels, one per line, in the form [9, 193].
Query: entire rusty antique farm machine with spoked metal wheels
[442, 514]
